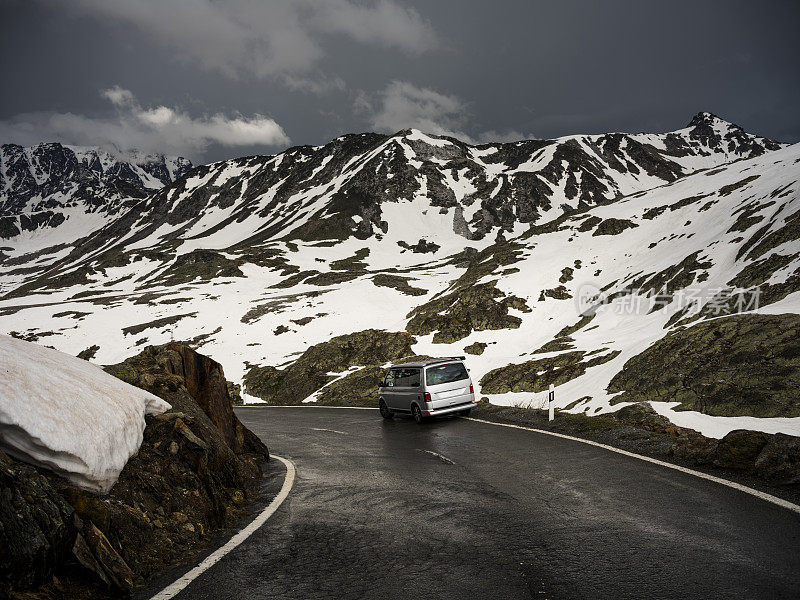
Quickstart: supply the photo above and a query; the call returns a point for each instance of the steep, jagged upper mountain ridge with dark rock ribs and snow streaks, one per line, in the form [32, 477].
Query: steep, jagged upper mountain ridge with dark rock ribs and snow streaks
[356, 182]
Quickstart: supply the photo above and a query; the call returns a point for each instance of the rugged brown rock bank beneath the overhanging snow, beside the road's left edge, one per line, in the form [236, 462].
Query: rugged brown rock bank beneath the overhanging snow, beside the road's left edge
[193, 476]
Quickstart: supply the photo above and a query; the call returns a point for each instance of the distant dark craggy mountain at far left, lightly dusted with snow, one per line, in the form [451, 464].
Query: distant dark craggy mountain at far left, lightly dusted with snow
[49, 184]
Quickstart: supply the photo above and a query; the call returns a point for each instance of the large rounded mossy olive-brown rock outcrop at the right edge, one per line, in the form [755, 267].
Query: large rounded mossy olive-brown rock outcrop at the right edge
[740, 365]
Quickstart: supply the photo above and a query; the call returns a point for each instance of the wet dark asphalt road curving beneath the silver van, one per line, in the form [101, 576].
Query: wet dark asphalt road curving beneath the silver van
[500, 513]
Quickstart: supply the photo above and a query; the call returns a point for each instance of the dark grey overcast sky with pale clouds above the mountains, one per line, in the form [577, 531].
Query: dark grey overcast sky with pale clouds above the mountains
[212, 79]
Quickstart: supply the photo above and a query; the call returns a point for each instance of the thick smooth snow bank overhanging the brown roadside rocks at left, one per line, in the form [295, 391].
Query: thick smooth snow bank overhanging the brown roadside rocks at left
[68, 415]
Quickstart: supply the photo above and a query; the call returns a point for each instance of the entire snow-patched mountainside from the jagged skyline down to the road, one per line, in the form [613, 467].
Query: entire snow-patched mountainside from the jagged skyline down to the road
[539, 257]
